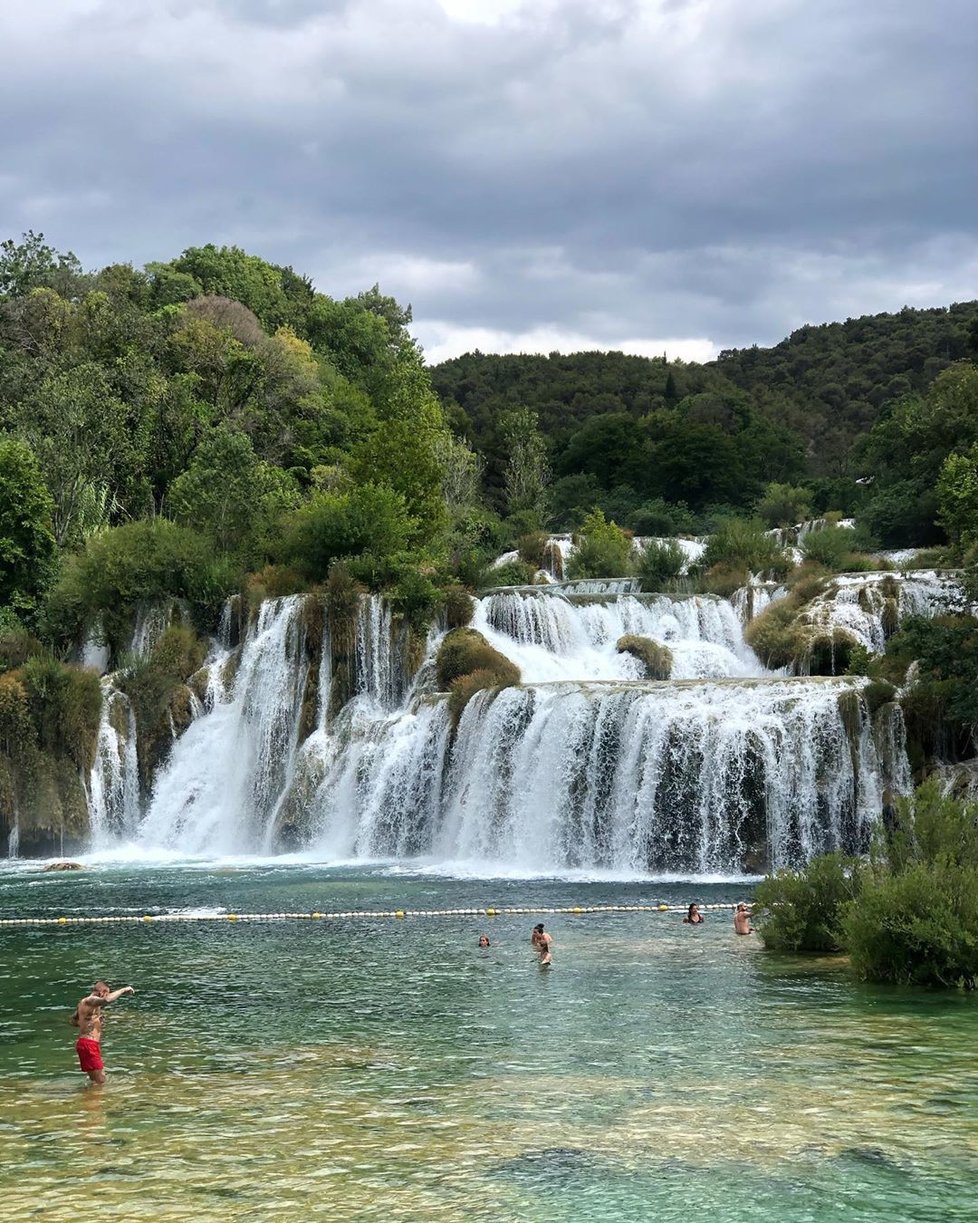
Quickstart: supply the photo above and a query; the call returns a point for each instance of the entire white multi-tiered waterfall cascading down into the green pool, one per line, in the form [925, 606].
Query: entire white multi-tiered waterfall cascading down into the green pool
[586, 766]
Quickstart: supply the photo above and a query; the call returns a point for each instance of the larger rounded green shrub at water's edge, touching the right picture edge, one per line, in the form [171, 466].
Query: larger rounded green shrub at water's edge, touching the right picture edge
[919, 928]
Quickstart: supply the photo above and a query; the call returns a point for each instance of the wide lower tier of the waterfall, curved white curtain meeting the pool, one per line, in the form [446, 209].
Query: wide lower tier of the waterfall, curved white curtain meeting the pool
[699, 777]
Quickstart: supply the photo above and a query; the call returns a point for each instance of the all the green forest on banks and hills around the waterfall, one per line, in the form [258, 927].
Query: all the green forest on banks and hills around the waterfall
[215, 426]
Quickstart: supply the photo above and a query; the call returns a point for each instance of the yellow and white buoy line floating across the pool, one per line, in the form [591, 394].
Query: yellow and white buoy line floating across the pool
[490, 912]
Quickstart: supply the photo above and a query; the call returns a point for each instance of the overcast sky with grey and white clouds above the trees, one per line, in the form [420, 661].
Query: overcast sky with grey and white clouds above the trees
[649, 176]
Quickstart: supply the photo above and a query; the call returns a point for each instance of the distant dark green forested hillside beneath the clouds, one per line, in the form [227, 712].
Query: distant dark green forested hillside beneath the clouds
[650, 441]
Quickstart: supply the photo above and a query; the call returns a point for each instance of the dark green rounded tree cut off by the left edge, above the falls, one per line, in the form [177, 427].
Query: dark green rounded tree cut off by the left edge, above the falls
[28, 544]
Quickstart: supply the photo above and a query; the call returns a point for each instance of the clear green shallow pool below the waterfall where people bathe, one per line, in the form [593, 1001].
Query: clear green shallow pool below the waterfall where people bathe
[388, 1070]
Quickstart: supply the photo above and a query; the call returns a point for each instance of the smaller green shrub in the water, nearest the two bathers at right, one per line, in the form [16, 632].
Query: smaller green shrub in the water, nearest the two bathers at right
[803, 911]
